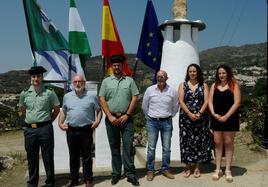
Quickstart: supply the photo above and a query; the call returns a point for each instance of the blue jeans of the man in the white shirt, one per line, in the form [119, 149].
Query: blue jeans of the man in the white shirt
[153, 128]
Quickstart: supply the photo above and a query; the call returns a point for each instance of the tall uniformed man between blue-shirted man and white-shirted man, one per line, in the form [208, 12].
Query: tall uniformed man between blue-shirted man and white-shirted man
[118, 97]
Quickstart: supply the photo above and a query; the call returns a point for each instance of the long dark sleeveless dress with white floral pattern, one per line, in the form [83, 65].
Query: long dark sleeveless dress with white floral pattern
[195, 140]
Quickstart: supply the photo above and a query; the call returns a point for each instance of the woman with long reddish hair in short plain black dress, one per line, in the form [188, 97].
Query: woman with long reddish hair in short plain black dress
[224, 101]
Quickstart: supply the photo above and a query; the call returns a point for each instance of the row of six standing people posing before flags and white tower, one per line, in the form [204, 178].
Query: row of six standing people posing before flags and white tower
[82, 112]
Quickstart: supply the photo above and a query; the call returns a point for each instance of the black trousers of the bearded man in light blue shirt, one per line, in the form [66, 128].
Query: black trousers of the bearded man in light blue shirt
[80, 143]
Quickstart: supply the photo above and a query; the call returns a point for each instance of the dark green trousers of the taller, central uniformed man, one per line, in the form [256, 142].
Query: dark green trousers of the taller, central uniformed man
[115, 133]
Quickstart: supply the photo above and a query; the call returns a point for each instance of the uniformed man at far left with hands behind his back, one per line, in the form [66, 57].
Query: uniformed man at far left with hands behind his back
[40, 106]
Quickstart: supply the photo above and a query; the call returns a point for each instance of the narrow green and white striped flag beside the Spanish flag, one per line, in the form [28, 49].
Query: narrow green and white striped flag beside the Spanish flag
[78, 41]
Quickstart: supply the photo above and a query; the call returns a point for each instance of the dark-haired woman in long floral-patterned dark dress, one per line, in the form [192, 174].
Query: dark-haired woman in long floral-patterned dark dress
[195, 142]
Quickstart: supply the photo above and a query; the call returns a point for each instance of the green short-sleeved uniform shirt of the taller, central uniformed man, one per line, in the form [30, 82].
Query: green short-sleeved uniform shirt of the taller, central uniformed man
[118, 92]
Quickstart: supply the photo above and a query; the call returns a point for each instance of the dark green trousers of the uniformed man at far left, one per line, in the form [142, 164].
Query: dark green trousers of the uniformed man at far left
[35, 139]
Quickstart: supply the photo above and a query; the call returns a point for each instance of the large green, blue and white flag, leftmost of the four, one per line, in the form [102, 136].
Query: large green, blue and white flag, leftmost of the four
[49, 47]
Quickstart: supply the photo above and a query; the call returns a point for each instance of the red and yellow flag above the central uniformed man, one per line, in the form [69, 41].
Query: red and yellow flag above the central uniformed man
[111, 43]
